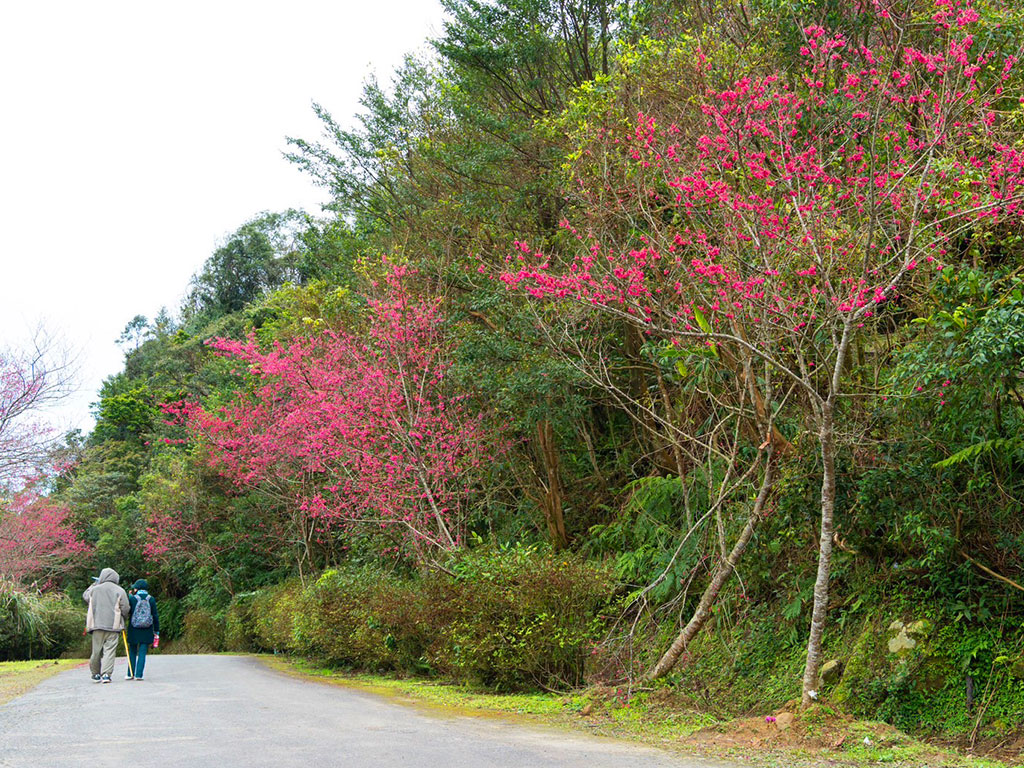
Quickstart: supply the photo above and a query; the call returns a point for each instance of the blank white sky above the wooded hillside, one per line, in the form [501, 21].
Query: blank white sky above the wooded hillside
[136, 137]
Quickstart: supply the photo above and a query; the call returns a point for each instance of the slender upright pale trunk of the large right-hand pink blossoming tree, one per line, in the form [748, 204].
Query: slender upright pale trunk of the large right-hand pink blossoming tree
[827, 442]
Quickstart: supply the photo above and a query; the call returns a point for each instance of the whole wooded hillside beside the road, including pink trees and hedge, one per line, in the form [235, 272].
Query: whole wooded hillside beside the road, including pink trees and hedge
[645, 345]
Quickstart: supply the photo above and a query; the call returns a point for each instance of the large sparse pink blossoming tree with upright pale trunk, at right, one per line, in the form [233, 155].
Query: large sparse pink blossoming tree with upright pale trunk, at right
[787, 214]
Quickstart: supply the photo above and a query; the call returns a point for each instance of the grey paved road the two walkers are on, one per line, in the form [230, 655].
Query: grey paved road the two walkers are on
[232, 712]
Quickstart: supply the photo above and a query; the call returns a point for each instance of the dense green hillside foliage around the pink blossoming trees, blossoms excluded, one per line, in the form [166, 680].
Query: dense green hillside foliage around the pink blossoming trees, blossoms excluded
[519, 120]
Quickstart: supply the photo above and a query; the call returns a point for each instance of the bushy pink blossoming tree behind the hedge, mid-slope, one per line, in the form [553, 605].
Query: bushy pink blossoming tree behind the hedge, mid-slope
[349, 429]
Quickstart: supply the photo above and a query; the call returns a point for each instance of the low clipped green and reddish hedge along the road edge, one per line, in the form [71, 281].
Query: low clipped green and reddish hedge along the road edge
[513, 620]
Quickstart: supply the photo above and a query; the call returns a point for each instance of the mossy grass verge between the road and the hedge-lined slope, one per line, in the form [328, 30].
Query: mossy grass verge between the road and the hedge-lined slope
[816, 739]
